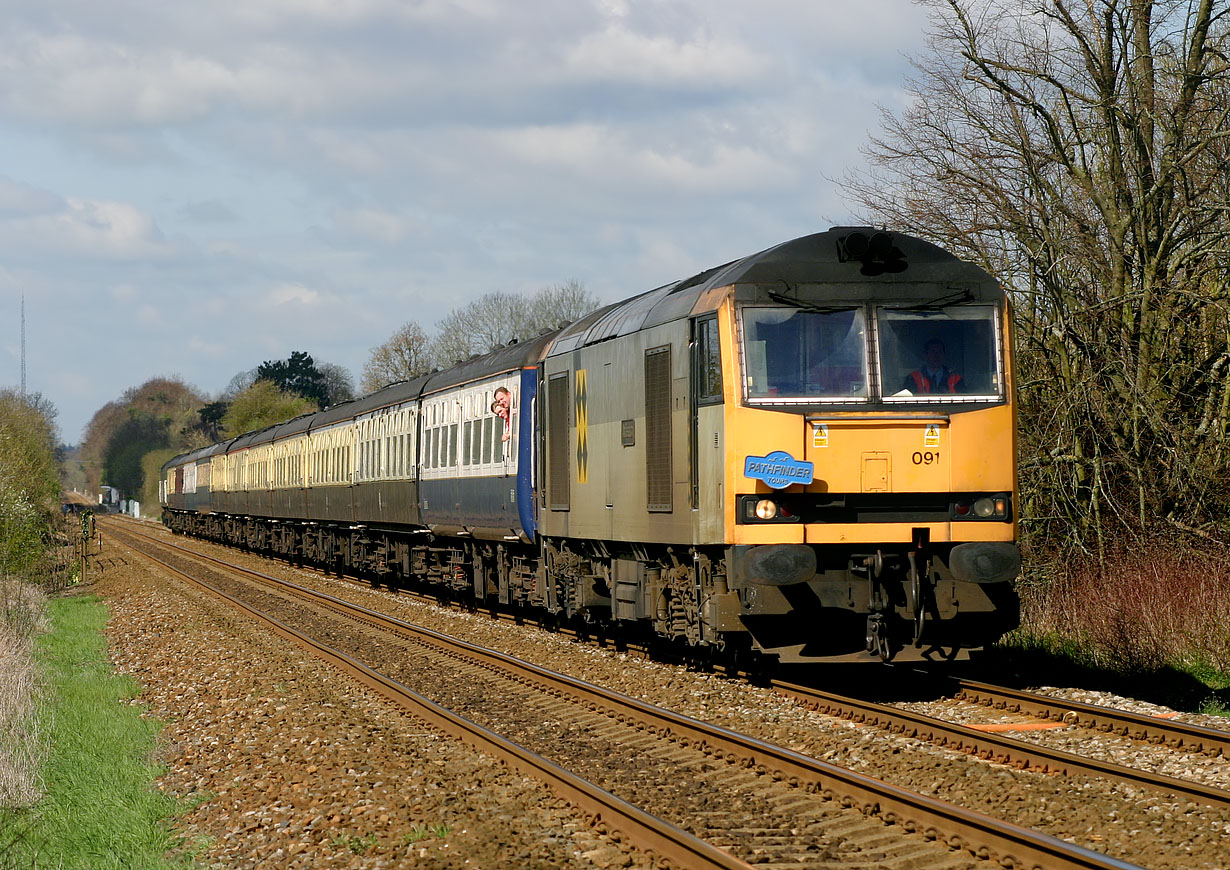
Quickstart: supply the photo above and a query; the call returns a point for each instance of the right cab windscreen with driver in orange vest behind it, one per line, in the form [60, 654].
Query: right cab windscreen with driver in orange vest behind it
[942, 355]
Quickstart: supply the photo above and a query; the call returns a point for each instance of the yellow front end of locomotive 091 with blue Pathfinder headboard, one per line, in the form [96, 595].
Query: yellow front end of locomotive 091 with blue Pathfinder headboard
[870, 456]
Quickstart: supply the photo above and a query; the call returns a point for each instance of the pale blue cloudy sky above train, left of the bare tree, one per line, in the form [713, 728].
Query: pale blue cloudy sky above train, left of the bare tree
[189, 190]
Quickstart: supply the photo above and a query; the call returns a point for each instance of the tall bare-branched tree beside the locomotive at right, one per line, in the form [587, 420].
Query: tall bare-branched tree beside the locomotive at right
[1078, 152]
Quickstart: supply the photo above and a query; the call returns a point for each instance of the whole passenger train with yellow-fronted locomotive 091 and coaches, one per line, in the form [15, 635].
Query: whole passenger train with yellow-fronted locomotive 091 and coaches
[807, 455]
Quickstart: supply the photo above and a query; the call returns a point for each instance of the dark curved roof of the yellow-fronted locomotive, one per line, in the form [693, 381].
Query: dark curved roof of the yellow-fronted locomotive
[817, 259]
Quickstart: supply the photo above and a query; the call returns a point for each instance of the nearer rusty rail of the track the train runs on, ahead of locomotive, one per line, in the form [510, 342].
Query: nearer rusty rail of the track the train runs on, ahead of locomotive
[996, 748]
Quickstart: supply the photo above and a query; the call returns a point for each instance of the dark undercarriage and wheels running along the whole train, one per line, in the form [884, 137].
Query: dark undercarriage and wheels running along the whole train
[901, 605]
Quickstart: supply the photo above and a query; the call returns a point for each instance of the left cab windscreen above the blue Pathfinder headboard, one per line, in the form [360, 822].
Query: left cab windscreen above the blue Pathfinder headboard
[803, 356]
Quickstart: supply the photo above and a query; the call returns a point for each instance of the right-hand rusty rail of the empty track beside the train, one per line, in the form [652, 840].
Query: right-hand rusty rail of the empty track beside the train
[960, 829]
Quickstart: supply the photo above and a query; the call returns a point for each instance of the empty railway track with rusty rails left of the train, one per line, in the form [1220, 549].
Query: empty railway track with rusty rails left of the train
[795, 798]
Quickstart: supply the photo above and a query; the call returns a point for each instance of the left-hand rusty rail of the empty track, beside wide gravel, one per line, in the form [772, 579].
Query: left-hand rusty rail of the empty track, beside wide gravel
[655, 836]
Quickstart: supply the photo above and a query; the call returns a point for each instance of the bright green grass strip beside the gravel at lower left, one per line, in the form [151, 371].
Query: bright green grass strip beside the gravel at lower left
[101, 809]
